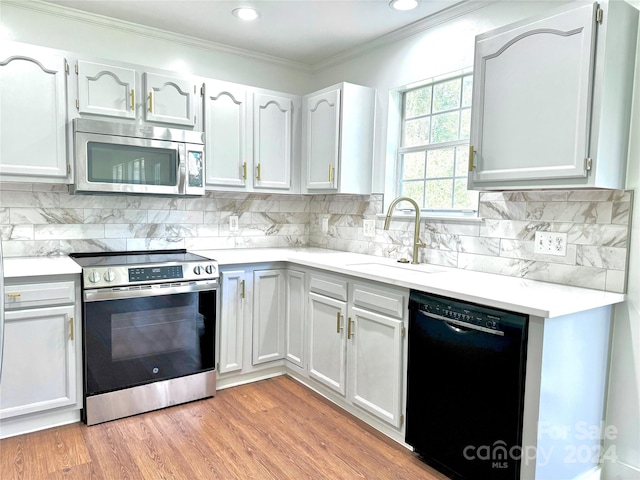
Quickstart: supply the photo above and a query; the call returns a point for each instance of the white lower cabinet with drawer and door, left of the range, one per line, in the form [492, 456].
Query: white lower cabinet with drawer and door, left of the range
[41, 365]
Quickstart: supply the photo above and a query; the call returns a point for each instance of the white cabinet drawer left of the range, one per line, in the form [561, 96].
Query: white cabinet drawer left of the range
[39, 294]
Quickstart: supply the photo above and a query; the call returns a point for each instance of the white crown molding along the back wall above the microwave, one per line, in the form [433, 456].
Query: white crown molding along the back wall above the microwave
[150, 32]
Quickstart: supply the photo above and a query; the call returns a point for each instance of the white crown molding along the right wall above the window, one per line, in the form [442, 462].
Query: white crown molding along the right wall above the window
[458, 10]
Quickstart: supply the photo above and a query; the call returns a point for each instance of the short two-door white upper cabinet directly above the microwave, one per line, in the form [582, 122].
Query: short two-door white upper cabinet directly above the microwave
[124, 93]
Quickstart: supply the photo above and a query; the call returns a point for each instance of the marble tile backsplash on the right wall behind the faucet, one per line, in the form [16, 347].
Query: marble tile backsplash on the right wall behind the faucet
[597, 224]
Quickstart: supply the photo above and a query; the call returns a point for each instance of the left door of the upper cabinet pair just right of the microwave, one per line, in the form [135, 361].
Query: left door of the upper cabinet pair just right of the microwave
[225, 124]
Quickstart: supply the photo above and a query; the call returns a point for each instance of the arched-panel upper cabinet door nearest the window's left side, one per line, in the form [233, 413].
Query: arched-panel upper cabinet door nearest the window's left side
[322, 114]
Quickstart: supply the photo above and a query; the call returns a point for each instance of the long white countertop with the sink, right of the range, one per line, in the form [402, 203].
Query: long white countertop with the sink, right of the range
[532, 297]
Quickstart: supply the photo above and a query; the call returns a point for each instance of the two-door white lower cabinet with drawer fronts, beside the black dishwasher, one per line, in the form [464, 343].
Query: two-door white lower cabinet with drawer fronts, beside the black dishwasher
[357, 343]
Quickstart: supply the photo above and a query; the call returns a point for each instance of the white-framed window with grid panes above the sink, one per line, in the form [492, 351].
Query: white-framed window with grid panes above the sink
[434, 147]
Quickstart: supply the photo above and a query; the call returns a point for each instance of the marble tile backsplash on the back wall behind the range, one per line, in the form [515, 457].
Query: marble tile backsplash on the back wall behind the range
[38, 220]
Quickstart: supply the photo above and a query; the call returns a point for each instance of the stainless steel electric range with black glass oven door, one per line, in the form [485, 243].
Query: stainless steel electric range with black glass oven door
[149, 322]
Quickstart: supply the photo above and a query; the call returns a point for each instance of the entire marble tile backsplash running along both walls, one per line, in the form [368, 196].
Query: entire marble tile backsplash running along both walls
[41, 220]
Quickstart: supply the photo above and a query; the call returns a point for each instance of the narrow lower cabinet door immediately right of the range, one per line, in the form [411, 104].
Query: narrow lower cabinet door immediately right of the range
[232, 293]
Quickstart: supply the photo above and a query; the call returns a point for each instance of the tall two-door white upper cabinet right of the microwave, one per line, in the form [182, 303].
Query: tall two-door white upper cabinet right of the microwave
[250, 138]
